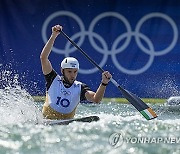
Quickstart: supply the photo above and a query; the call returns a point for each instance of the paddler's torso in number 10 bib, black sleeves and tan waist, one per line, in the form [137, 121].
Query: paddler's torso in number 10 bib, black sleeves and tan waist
[61, 101]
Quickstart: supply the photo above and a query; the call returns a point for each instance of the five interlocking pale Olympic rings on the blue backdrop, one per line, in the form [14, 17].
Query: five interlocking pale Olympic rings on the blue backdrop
[114, 48]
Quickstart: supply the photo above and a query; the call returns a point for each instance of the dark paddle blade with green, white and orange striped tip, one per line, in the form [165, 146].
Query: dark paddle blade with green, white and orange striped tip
[143, 108]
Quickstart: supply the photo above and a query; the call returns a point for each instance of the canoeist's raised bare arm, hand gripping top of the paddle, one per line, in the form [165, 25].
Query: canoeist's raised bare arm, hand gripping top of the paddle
[45, 63]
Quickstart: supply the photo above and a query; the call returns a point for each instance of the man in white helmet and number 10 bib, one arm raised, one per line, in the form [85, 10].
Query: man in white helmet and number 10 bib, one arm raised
[63, 93]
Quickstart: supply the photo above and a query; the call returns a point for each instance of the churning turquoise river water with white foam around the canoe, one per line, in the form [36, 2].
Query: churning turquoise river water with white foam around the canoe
[121, 129]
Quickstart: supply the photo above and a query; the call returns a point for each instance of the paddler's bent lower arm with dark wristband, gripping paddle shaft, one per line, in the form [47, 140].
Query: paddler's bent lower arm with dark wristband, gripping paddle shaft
[98, 95]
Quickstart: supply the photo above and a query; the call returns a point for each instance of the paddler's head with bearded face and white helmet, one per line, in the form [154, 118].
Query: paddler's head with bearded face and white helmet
[69, 69]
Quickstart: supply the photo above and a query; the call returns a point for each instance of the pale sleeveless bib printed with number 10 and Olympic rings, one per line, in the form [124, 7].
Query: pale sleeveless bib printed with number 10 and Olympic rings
[61, 99]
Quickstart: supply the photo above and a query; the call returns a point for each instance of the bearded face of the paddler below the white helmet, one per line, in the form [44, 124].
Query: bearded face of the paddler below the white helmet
[70, 74]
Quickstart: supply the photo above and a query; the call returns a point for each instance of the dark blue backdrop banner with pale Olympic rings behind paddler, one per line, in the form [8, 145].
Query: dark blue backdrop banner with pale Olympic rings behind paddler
[138, 42]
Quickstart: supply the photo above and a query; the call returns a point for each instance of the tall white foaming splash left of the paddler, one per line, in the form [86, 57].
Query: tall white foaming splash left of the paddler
[16, 104]
